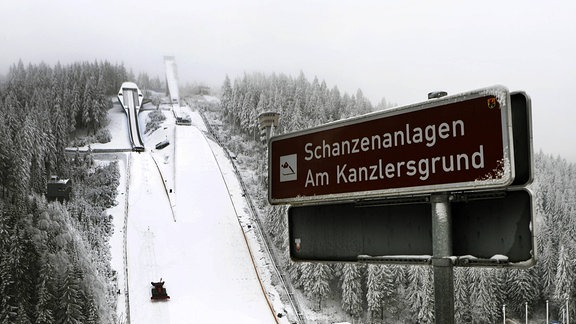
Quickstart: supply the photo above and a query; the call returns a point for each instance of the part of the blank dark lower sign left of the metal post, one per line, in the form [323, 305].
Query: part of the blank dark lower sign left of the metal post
[343, 232]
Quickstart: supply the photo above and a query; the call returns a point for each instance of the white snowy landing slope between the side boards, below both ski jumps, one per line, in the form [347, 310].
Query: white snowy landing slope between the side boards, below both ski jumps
[201, 254]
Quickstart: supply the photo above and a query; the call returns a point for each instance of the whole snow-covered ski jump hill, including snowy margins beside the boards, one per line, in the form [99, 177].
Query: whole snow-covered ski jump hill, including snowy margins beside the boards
[187, 223]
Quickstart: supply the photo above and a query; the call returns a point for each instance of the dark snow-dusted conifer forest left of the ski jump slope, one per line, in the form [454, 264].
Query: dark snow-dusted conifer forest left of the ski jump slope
[55, 257]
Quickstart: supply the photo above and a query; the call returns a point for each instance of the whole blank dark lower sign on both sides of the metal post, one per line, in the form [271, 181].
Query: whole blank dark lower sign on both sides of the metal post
[487, 228]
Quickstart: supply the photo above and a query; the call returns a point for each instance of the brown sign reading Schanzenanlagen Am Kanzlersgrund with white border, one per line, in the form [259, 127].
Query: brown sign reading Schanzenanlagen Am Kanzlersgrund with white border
[461, 142]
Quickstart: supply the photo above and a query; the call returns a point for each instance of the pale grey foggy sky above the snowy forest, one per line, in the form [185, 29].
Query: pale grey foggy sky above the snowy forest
[400, 50]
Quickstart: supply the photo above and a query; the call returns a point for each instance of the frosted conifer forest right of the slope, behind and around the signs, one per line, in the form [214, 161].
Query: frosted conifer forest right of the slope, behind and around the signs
[390, 293]
